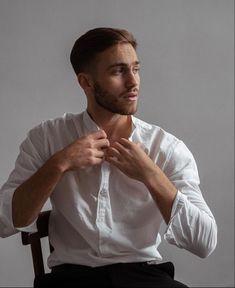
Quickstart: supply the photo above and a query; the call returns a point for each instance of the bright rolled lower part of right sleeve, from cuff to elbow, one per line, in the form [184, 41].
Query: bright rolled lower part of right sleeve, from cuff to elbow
[191, 229]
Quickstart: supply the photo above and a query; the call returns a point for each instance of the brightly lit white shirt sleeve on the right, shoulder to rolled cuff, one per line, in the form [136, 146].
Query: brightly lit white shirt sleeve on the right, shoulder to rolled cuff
[192, 225]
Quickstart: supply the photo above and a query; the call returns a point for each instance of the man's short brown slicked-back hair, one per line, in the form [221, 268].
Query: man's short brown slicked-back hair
[95, 41]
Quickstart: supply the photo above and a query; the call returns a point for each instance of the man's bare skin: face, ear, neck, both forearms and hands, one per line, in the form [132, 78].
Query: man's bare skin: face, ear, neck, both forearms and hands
[112, 91]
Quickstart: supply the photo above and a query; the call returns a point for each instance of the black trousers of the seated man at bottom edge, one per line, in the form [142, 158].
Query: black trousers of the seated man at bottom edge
[131, 275]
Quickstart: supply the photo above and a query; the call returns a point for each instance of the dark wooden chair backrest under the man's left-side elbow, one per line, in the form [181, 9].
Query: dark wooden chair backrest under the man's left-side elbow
[34, 240]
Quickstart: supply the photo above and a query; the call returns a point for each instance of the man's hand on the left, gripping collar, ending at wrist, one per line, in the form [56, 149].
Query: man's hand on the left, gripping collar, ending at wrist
[86, 151]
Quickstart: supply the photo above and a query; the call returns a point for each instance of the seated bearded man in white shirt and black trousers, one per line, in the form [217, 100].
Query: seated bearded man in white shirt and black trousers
[111, 178]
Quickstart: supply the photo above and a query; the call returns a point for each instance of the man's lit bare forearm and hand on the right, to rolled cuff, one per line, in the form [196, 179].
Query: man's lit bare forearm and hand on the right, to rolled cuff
[131, 159]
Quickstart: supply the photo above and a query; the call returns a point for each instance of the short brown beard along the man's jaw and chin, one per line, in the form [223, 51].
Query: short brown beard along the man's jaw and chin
[110, 102]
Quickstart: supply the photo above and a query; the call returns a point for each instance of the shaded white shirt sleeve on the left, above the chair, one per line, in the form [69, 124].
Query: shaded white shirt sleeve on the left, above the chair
[27, 163]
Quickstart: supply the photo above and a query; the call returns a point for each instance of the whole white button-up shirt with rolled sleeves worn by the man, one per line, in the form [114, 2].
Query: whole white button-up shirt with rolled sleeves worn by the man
[101, 216]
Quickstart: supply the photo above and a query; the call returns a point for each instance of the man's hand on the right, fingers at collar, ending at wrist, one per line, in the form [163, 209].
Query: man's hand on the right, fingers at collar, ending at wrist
[131, 159]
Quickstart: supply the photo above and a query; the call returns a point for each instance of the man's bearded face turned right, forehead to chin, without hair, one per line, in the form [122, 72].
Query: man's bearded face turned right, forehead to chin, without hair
[116, 80]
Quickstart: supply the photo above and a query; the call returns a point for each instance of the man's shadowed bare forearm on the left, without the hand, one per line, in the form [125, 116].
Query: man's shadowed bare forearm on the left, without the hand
[29, 197]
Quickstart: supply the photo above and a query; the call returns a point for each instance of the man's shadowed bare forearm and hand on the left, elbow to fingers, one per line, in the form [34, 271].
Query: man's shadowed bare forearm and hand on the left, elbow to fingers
[30, 196]
